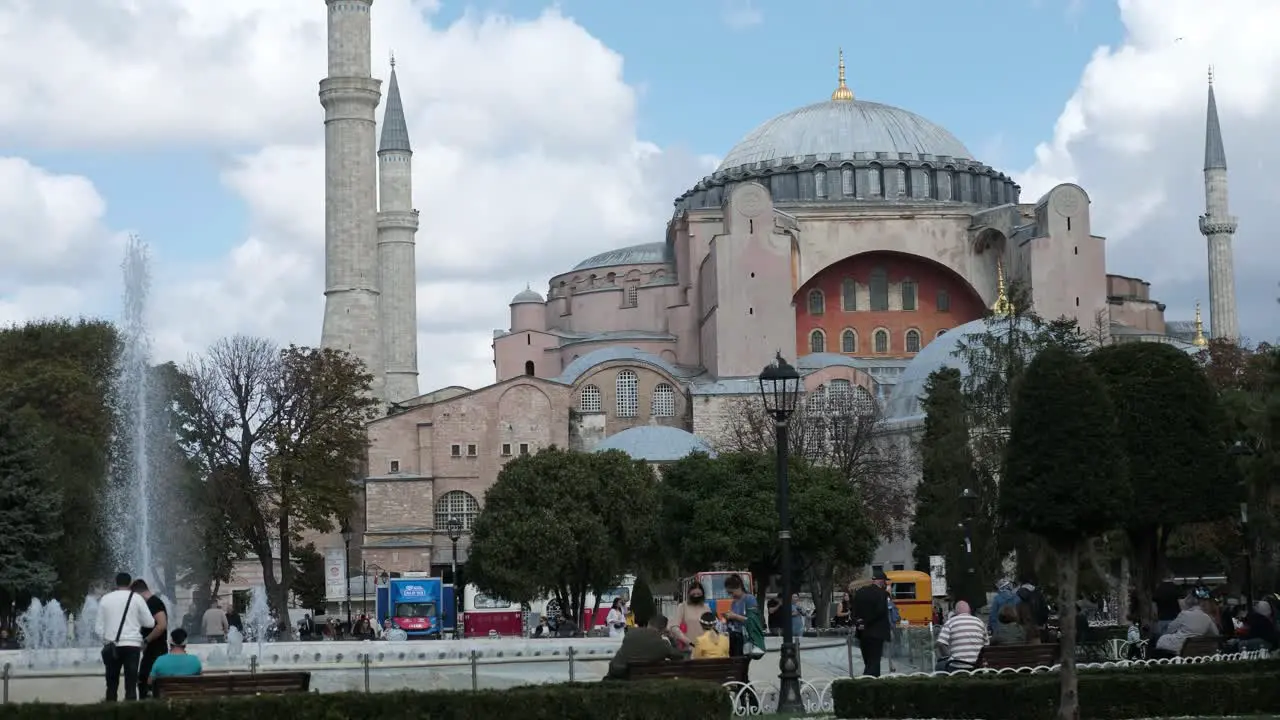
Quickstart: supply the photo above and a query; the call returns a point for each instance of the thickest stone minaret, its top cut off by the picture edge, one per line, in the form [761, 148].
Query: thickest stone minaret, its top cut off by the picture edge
[350, 97]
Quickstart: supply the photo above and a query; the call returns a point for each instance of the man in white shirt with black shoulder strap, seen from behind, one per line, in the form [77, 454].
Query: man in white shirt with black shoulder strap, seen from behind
[122, 614]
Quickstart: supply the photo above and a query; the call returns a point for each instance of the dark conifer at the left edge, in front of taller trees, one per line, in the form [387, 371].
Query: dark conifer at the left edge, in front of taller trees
[30, 513]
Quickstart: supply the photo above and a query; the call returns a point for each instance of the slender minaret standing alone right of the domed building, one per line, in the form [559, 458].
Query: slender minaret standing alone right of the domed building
[1218, 226]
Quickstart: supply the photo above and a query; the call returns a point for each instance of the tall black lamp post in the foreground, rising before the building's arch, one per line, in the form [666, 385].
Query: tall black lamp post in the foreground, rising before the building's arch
[780, 390]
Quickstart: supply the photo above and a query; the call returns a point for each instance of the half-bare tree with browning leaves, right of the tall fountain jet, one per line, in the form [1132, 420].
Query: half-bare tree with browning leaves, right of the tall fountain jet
[285, 435]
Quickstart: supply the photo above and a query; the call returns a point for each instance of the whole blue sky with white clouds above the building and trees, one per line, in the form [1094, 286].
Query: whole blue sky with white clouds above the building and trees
[196, 125]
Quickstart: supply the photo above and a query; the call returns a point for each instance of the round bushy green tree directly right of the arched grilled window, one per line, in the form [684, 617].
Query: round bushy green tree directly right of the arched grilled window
[561, 523]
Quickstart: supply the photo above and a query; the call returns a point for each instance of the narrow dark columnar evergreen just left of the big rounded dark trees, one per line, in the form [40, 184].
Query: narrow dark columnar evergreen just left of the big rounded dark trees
[947, 472]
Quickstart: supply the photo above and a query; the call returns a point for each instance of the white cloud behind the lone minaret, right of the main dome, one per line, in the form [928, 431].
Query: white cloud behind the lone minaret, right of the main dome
[1133, 136]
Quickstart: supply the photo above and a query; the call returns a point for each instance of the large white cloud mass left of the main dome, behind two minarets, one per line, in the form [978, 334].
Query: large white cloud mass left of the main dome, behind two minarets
[527, 157]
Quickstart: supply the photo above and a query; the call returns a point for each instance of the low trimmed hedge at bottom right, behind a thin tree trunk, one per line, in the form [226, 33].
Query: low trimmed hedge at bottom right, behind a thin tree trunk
[1218, 690]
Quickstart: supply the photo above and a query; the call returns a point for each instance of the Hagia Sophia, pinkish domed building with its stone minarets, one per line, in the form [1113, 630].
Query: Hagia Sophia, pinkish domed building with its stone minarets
[861, 239]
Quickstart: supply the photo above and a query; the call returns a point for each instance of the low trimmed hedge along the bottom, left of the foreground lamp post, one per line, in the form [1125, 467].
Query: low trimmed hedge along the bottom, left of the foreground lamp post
[657, 700]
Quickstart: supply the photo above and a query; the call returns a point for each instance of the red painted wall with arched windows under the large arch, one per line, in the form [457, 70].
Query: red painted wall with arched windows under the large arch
[930, 277]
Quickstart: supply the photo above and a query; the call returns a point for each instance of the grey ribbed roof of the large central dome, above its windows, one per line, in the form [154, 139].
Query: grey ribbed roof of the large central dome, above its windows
[844, 127]
